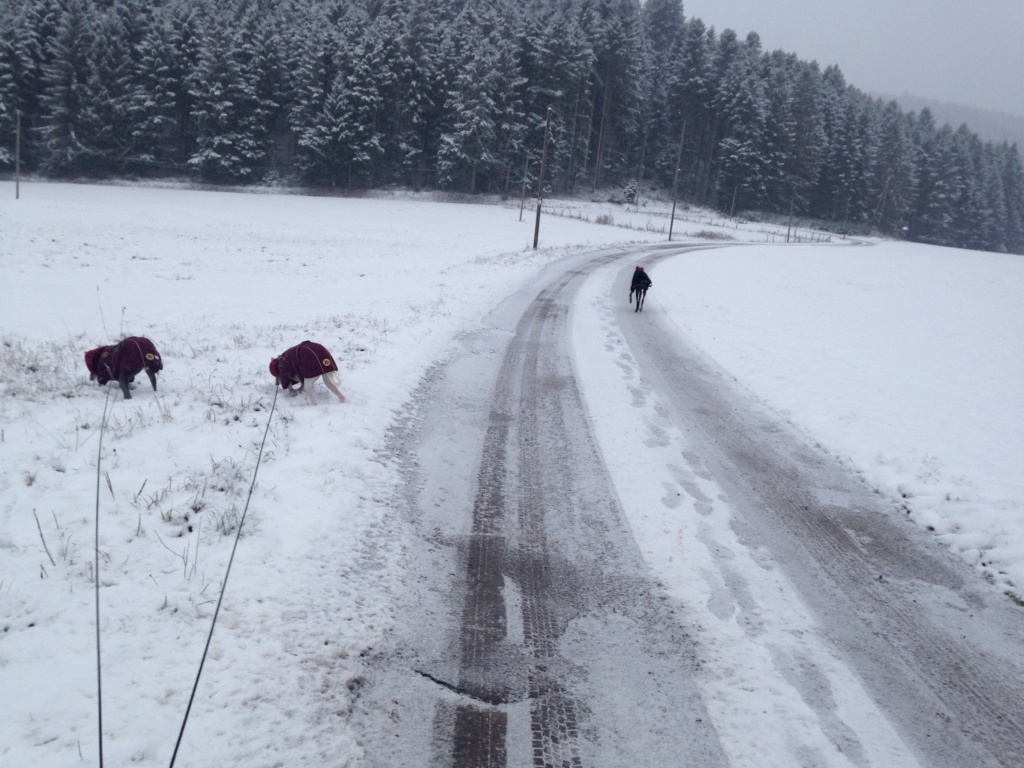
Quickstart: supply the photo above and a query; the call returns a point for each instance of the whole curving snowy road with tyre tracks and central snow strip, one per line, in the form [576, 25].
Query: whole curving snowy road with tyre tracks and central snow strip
[698, 587]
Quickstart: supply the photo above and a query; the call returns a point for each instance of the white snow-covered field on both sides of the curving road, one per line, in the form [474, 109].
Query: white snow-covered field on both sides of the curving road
[905, 361]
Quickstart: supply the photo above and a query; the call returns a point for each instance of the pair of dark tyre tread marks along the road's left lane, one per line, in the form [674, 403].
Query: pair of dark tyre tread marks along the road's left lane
[480, 733]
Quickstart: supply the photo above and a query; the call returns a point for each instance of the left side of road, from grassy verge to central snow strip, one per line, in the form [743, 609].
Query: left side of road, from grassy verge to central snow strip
[535, 635]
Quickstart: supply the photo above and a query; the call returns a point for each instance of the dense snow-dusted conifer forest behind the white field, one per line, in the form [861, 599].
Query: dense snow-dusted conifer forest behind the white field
[459, 95]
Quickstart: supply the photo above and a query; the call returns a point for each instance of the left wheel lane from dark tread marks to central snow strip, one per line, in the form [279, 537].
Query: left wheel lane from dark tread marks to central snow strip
[604, 666]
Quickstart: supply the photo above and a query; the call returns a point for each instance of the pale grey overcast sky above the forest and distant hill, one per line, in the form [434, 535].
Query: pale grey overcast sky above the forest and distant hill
[964, 52]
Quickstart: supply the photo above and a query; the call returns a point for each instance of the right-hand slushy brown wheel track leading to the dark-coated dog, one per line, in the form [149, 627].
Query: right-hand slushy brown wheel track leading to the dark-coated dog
[938, 652]
